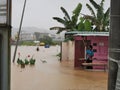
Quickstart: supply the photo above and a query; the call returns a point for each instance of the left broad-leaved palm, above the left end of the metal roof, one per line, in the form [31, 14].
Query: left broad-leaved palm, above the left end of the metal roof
[70, 23]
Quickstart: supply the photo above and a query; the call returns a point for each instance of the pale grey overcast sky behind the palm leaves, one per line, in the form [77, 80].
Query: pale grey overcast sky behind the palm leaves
[39, 13]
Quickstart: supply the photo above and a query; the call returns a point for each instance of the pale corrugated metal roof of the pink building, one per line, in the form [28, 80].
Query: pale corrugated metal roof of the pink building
[87, 33]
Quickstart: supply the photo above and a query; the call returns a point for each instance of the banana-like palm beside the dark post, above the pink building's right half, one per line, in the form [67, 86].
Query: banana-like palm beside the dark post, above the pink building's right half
[100, 19]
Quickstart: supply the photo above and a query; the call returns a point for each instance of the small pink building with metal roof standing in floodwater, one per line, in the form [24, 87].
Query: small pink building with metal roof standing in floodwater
[99, 41]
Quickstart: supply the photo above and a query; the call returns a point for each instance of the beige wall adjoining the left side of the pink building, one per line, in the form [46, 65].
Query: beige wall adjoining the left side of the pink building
[68, 50]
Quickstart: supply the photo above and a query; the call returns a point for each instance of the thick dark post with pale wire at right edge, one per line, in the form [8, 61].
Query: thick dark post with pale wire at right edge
[114, 47]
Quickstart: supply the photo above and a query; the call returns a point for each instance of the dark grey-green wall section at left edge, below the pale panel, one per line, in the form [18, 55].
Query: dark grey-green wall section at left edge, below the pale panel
[5, 59]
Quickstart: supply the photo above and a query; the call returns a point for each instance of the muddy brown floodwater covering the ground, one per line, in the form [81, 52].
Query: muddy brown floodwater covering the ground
[53, 75]
